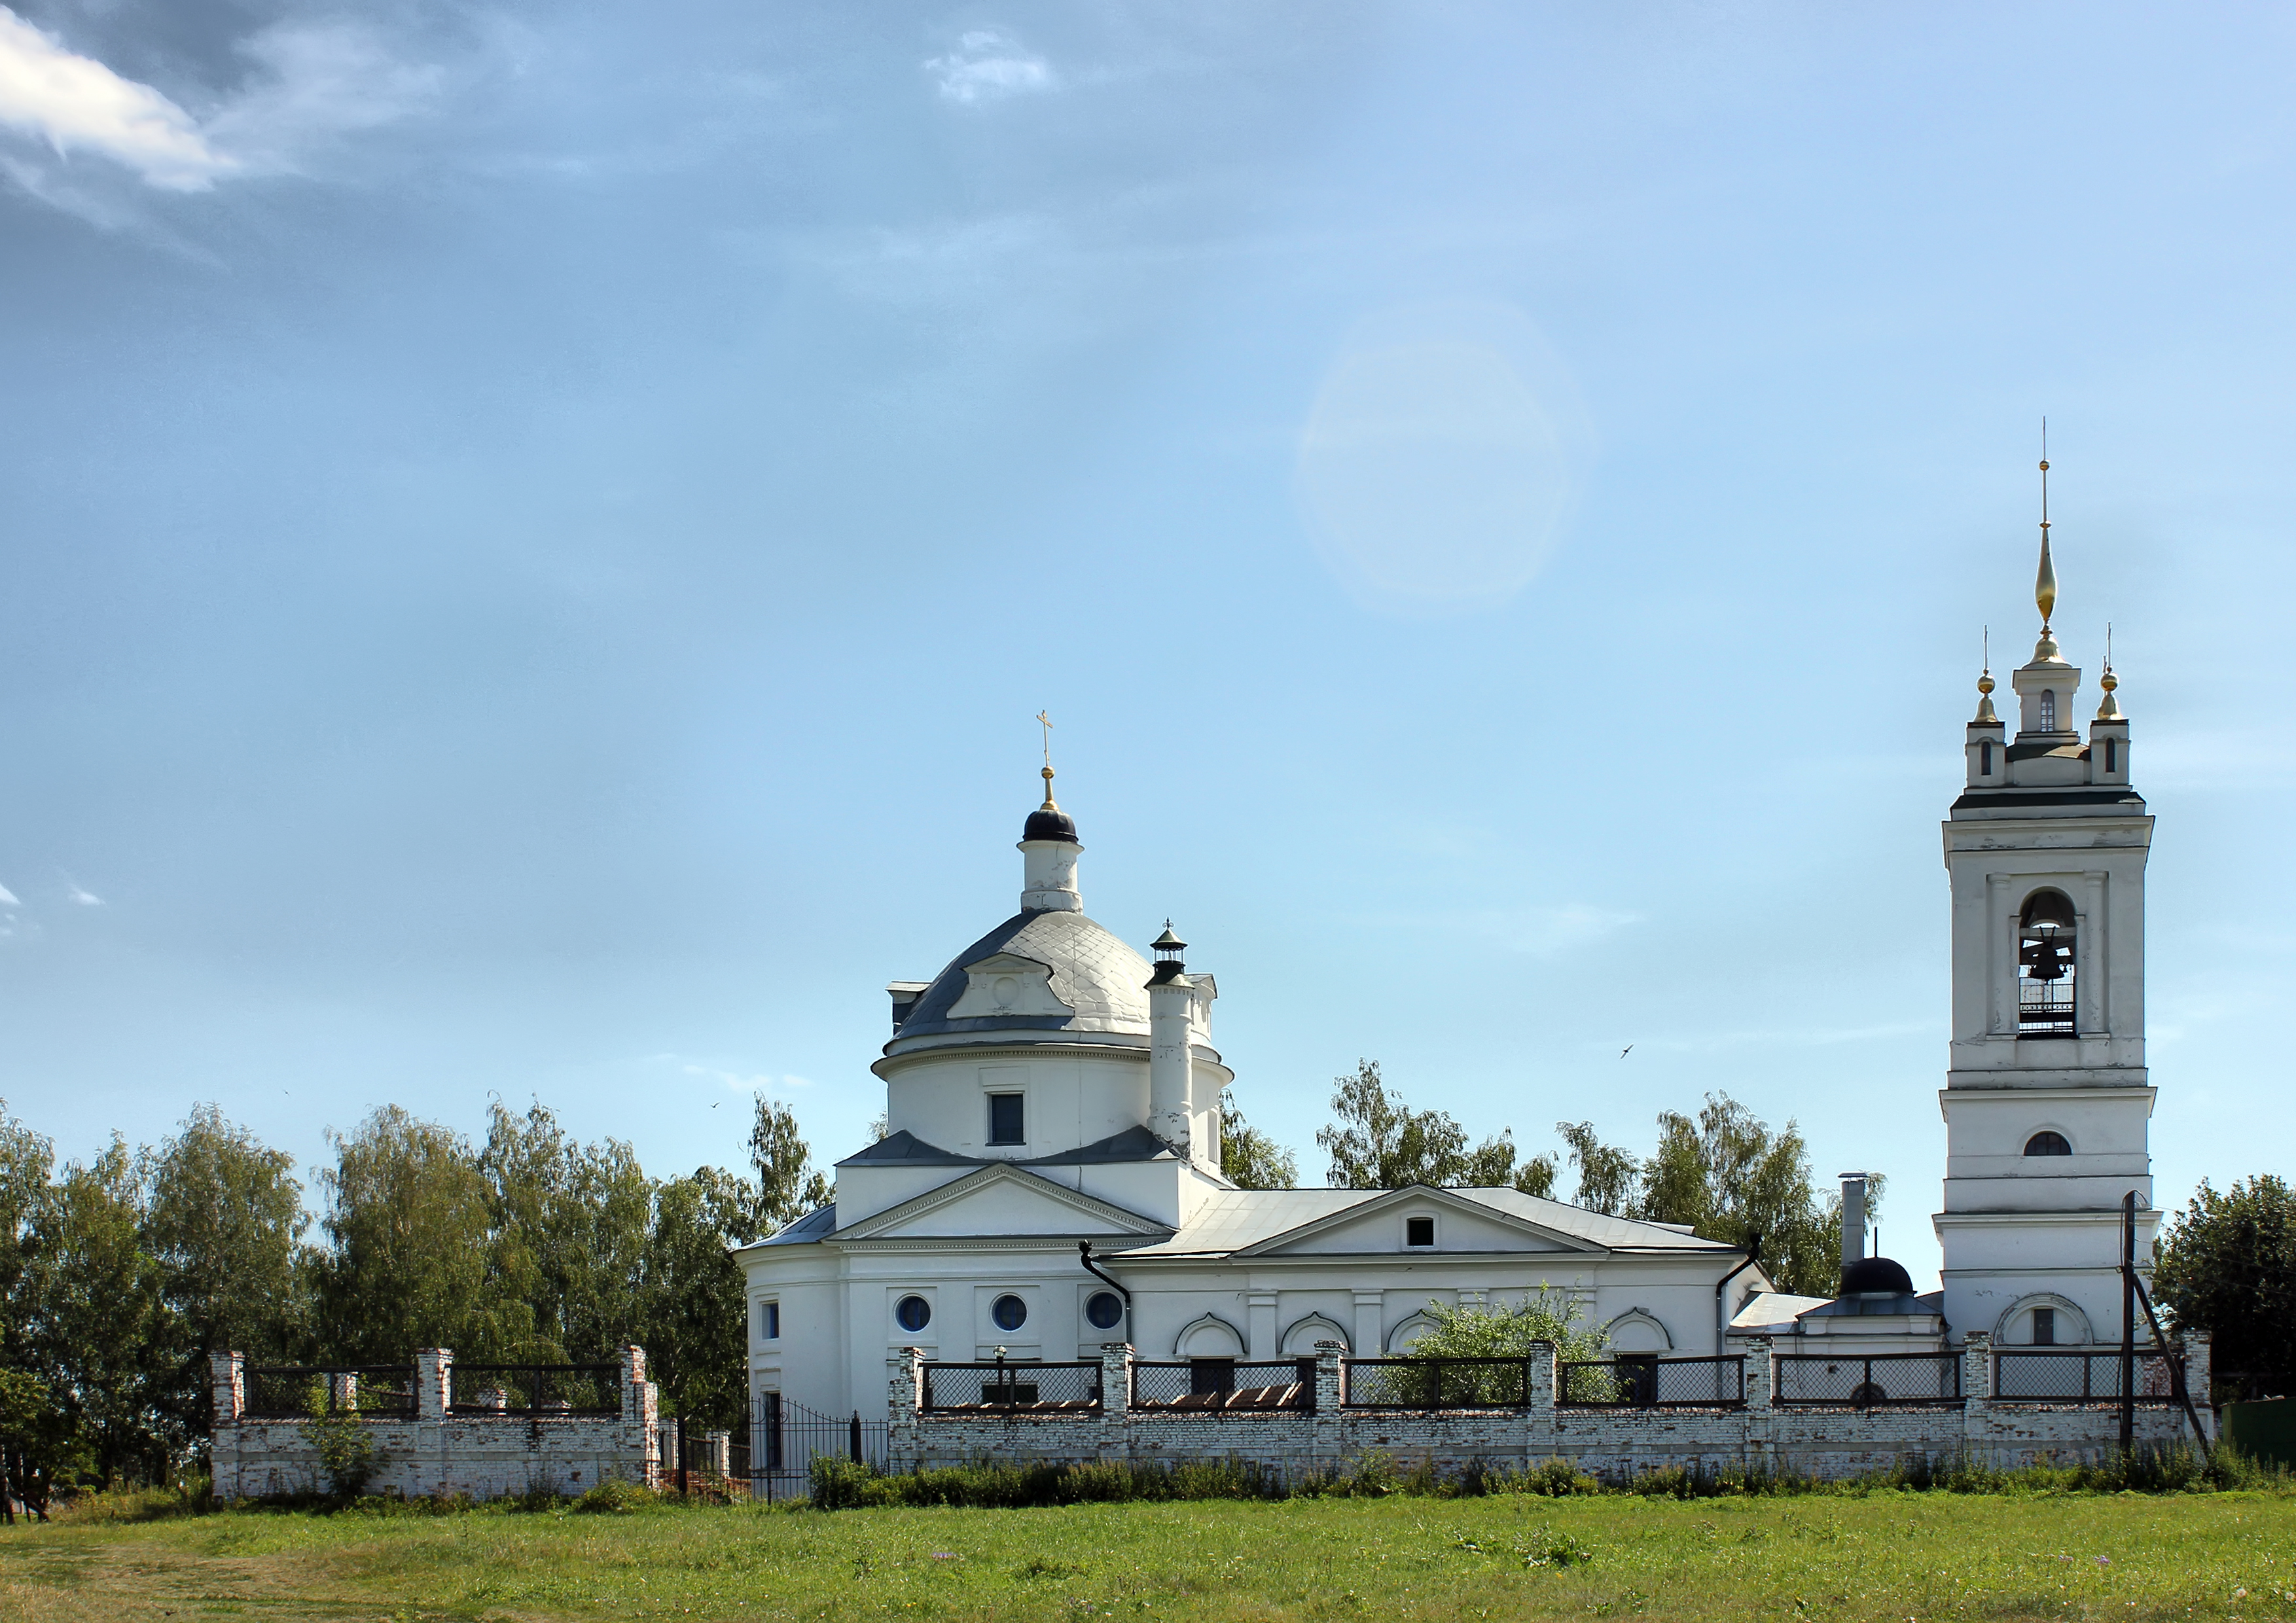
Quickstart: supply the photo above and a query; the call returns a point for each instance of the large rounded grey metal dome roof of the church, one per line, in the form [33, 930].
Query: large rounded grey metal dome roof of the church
[1048, 972]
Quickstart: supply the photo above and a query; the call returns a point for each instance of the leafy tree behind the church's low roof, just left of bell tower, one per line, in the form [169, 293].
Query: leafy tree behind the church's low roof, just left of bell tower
[1730, 1177]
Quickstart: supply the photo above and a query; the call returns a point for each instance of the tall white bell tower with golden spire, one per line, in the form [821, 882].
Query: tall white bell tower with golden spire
[2047, 1101]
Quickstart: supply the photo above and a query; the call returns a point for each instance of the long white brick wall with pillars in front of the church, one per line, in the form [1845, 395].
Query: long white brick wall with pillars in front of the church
[1618, 1445]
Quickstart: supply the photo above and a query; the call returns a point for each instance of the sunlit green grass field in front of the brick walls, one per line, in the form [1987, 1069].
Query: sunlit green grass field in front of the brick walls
[1888, 1555]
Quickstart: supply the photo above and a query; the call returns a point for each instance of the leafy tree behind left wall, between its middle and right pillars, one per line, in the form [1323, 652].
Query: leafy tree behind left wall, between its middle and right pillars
[571, 1225]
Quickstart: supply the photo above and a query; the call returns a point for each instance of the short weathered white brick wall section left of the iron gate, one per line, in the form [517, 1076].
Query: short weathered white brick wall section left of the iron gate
[442, 1450]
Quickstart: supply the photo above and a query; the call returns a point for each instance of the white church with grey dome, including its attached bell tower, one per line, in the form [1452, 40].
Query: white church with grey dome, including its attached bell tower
[1053, 1092]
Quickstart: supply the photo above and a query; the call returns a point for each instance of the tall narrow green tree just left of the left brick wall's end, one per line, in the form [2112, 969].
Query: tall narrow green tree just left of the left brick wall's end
[100, 1330]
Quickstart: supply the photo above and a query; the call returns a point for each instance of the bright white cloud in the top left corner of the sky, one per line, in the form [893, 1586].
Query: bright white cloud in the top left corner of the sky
[77, 104]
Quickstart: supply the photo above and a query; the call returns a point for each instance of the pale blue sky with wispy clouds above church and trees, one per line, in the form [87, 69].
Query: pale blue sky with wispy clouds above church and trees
[536, 536]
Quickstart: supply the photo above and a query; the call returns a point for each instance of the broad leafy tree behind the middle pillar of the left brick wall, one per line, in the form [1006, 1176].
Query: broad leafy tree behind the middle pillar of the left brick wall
[414, 1259]
